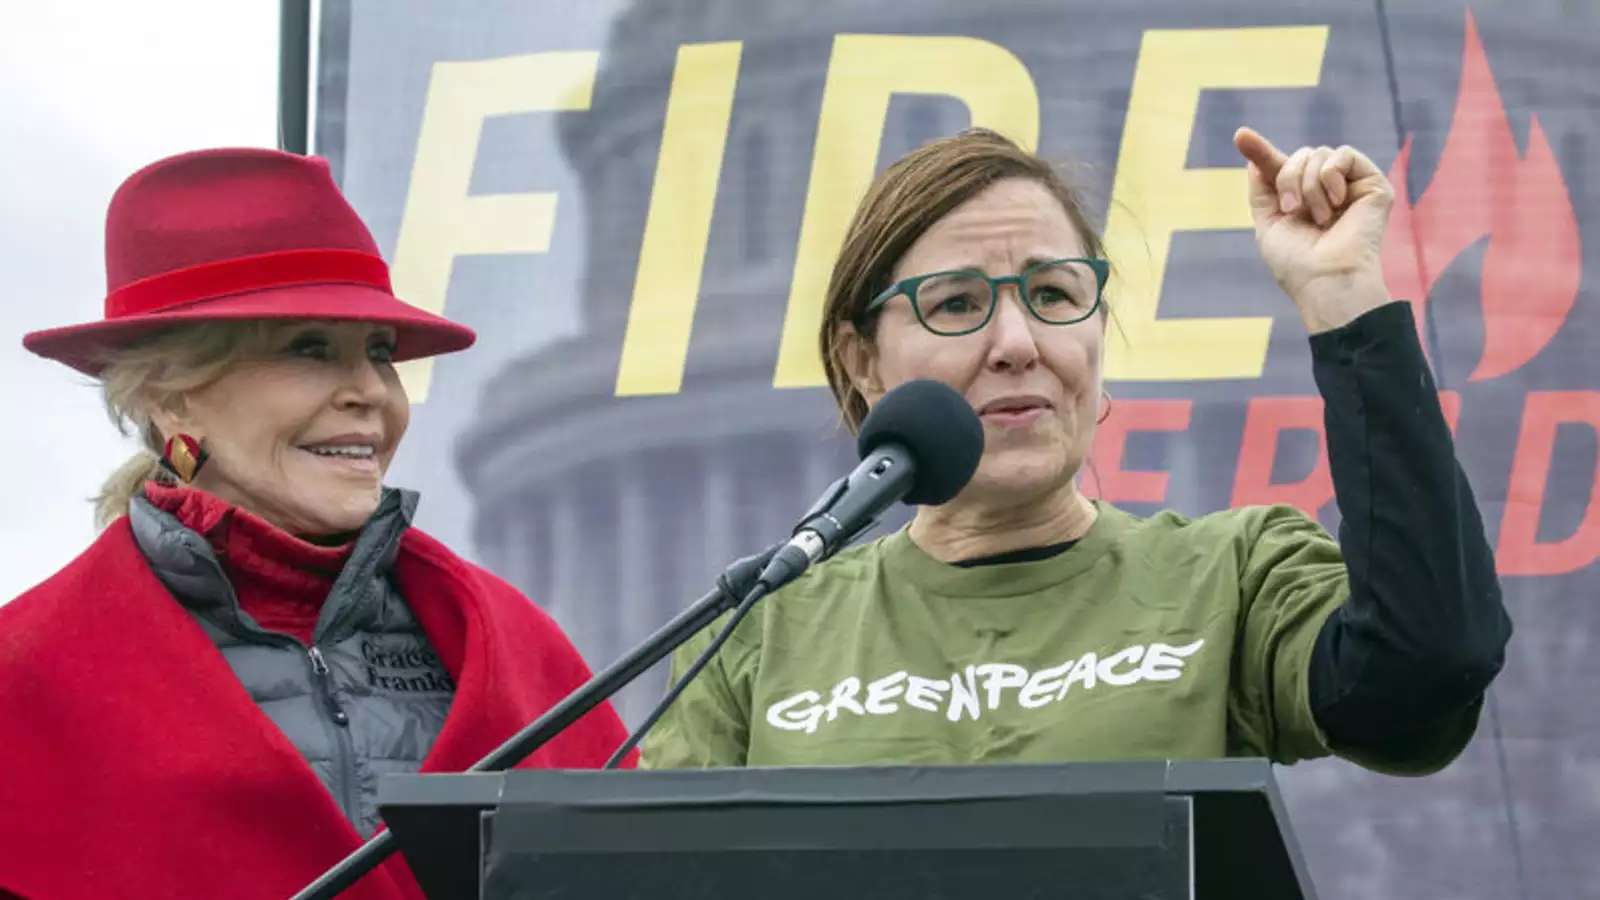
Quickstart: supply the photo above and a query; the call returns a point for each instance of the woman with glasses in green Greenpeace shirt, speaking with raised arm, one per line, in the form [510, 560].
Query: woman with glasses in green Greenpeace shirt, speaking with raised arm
[1023, 622]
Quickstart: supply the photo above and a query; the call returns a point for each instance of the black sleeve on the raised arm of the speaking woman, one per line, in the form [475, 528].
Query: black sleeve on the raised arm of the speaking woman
[1425, 630]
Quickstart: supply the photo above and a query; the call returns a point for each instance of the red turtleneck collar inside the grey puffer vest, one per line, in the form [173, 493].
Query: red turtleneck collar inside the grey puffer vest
[281, 581]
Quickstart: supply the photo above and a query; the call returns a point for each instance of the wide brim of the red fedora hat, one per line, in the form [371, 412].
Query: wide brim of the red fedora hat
[418, 334]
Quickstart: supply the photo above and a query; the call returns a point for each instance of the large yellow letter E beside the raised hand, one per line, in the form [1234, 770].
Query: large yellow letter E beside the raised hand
[1154, 190]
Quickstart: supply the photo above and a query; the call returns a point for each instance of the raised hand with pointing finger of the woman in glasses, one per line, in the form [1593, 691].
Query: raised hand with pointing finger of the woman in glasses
[1321, 219]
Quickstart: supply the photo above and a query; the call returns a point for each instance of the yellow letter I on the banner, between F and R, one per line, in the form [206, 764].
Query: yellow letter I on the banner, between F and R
[673, 255]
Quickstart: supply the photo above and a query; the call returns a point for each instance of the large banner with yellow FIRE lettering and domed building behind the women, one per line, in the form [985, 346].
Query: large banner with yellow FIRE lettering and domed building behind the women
[638, 207]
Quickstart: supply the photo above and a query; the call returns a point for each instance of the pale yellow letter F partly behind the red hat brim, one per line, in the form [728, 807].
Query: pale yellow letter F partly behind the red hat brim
[442, 220]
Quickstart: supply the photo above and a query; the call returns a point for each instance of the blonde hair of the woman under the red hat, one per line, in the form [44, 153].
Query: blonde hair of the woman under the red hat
[154, 374]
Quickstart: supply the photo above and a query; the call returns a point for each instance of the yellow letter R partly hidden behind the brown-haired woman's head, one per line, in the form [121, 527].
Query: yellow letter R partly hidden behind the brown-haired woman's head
[862, 78]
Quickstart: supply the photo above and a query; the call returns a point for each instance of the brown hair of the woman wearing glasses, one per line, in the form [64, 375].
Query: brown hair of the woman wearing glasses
[918, 191]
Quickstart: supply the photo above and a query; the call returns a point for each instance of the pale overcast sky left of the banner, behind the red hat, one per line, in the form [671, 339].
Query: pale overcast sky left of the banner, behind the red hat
[90, 90]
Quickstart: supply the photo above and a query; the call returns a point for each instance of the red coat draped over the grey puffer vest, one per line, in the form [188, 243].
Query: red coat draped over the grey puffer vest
[135, 765]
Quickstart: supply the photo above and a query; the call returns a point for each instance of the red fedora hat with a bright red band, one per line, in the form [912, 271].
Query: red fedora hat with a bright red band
[239, 235]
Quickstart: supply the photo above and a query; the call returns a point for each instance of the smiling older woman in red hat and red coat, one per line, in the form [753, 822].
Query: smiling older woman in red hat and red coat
[204, 701]
